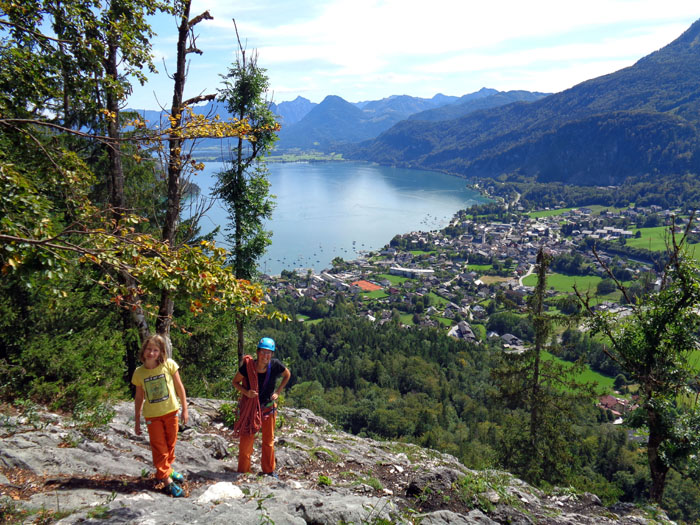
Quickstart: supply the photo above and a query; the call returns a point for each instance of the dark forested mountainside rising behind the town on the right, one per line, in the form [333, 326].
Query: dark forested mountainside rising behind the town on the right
[606, 122]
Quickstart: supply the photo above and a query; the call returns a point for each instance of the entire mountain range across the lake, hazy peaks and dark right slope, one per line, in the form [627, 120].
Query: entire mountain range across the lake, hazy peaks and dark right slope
[643, 120]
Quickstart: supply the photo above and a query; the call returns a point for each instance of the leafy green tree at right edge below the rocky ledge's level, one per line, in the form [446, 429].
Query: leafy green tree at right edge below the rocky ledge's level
[653, 347]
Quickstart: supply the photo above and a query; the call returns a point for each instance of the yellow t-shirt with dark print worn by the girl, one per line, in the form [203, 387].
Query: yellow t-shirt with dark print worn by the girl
[158, 388]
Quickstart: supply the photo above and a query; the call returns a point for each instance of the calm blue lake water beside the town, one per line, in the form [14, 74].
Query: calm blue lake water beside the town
[339, 209]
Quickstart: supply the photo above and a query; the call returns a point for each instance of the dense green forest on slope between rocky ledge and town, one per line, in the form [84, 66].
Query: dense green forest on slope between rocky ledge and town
[424, 387]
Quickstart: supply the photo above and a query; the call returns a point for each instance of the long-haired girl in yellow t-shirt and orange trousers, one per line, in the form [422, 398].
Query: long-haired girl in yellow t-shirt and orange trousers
[157, 382]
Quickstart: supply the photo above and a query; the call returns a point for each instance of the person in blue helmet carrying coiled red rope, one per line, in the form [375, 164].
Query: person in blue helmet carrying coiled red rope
[256, 380]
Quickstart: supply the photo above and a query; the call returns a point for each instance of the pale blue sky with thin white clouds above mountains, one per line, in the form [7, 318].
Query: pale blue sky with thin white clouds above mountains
[371, 49]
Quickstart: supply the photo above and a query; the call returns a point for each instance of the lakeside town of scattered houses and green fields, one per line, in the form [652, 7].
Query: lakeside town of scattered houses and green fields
[455, 277]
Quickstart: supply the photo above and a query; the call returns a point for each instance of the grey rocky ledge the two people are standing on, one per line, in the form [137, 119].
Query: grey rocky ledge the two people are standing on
[59, 469]
